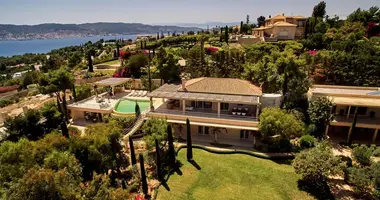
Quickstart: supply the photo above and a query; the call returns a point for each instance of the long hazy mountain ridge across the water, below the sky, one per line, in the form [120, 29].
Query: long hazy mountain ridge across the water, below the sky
[47, 31]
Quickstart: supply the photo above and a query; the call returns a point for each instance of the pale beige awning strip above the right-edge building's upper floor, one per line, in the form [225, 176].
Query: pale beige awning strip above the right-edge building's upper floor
[356, 101]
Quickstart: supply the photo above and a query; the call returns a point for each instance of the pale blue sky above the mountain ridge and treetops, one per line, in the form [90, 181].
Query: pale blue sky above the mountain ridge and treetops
[162, 11]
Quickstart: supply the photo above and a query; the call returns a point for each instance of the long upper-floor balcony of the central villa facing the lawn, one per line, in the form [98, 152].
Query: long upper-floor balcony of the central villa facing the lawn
[204, 116]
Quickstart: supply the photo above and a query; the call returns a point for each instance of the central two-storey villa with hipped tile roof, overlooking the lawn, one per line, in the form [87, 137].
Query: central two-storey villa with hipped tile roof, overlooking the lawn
[230, 105]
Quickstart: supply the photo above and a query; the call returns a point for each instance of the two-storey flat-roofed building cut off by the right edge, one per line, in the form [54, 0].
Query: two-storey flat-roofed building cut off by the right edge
[346, 99]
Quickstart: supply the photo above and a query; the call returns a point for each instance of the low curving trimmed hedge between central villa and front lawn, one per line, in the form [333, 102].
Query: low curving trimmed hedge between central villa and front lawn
[237, 151]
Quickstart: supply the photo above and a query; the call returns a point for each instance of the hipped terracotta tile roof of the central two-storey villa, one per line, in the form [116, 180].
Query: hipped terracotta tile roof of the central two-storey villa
[221, 86]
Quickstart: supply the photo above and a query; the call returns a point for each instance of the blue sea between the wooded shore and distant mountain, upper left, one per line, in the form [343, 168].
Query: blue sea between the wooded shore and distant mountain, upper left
[16, 47]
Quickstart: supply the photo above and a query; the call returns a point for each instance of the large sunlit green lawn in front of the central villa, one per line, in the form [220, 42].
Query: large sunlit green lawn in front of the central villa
[231, 177]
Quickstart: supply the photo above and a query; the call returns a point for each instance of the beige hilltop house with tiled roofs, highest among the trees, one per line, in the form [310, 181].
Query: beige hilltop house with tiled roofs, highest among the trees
[281, 27]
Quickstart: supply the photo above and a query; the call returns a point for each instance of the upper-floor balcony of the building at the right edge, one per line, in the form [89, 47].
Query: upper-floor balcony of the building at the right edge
[362, 121]
